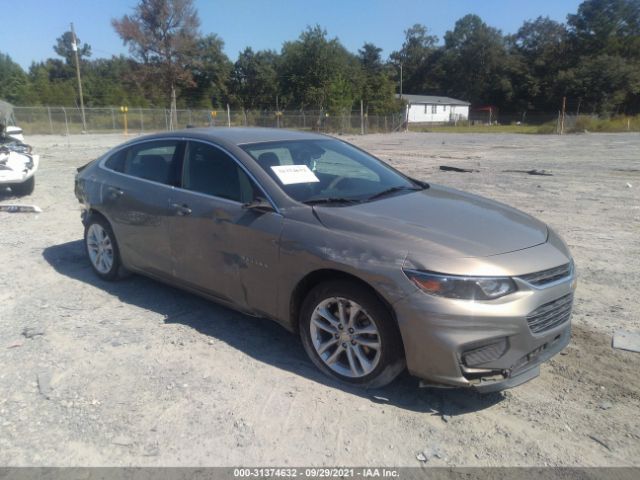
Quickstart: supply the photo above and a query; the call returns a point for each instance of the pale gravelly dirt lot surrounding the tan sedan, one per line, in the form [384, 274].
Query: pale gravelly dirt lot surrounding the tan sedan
[137, 373]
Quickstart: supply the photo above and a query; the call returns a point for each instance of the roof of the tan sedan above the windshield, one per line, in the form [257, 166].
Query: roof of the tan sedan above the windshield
[243, 136]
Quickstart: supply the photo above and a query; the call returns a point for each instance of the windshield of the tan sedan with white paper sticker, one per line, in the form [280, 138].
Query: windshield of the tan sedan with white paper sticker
[327, 171]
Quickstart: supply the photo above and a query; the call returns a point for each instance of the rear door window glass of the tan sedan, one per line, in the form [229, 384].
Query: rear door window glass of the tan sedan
[156, 161]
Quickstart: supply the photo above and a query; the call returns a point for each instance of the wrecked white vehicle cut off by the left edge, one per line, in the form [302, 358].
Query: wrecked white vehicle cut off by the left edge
[18, 167]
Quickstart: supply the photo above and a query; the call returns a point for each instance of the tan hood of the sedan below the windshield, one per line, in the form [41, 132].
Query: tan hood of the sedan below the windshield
[439, 221]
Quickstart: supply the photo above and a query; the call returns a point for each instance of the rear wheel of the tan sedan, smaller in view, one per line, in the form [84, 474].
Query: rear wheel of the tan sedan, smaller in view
[102, 248]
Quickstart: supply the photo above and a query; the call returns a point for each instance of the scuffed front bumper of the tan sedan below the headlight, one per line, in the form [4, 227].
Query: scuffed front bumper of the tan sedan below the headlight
[487, 345]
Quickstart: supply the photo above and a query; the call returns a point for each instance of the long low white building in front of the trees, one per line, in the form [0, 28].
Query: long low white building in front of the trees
[432, 109]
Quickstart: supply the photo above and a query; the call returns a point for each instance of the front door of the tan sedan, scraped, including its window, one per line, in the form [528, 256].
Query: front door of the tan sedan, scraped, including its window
[221, 247]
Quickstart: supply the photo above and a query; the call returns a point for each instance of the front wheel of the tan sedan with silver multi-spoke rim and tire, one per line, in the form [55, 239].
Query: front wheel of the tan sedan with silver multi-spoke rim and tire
[376, 359]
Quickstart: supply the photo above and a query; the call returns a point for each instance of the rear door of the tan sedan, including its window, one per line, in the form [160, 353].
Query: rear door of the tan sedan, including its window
[136, 199]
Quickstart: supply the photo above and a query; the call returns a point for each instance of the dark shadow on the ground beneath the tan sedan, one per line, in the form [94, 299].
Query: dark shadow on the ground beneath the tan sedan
[262, 339]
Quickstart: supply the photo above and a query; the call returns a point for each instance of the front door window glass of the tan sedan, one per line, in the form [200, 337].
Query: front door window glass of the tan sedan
[211, 171]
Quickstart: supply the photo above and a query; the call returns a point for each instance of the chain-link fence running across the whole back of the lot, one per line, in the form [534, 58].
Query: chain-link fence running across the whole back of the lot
[68, 120]
